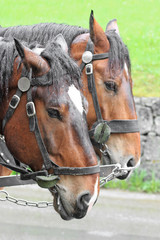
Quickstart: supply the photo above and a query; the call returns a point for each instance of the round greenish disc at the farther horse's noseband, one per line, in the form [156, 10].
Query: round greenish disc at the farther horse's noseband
[101, 133]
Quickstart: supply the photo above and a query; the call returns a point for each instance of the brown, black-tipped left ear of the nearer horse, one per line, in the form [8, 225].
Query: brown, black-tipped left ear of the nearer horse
[31, 59]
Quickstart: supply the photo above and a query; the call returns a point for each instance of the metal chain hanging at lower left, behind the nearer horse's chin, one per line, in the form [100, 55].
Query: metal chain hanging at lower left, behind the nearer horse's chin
[4, 196]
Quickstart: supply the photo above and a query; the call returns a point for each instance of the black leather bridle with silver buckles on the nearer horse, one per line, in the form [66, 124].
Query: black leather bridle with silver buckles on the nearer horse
[24, 85]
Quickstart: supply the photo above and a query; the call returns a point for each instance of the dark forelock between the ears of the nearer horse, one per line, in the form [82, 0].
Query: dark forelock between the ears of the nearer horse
[62, 68]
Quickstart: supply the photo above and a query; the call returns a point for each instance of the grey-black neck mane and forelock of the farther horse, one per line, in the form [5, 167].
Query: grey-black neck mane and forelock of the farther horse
[45, 32]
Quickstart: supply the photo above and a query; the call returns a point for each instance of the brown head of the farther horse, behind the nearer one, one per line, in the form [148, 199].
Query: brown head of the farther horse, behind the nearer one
[113, 85]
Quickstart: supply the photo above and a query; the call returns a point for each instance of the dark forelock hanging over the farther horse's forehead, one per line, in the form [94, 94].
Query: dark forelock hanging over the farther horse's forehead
[118, 53]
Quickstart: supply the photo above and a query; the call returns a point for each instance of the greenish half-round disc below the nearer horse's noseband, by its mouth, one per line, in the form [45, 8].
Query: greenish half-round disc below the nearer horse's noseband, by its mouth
[47, 181]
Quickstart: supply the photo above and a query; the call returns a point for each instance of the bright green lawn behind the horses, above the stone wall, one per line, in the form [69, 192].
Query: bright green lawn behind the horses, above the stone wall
[138, 22]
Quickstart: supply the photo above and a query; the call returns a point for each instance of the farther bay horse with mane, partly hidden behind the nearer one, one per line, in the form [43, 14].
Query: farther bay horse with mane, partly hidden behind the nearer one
[113, 83]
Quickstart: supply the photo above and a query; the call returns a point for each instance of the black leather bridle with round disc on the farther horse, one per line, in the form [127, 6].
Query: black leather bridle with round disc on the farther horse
[102, 129]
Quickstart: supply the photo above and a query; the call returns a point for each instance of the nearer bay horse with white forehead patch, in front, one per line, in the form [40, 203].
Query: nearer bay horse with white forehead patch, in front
[44, 123]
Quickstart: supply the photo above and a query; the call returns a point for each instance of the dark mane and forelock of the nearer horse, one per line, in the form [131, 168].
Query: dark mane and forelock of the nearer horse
[63, 68]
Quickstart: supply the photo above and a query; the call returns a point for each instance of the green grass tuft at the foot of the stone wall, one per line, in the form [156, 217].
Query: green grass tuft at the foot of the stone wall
[137, 183]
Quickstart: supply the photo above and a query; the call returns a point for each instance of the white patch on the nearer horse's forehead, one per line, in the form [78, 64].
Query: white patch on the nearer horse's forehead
[76, 98]
